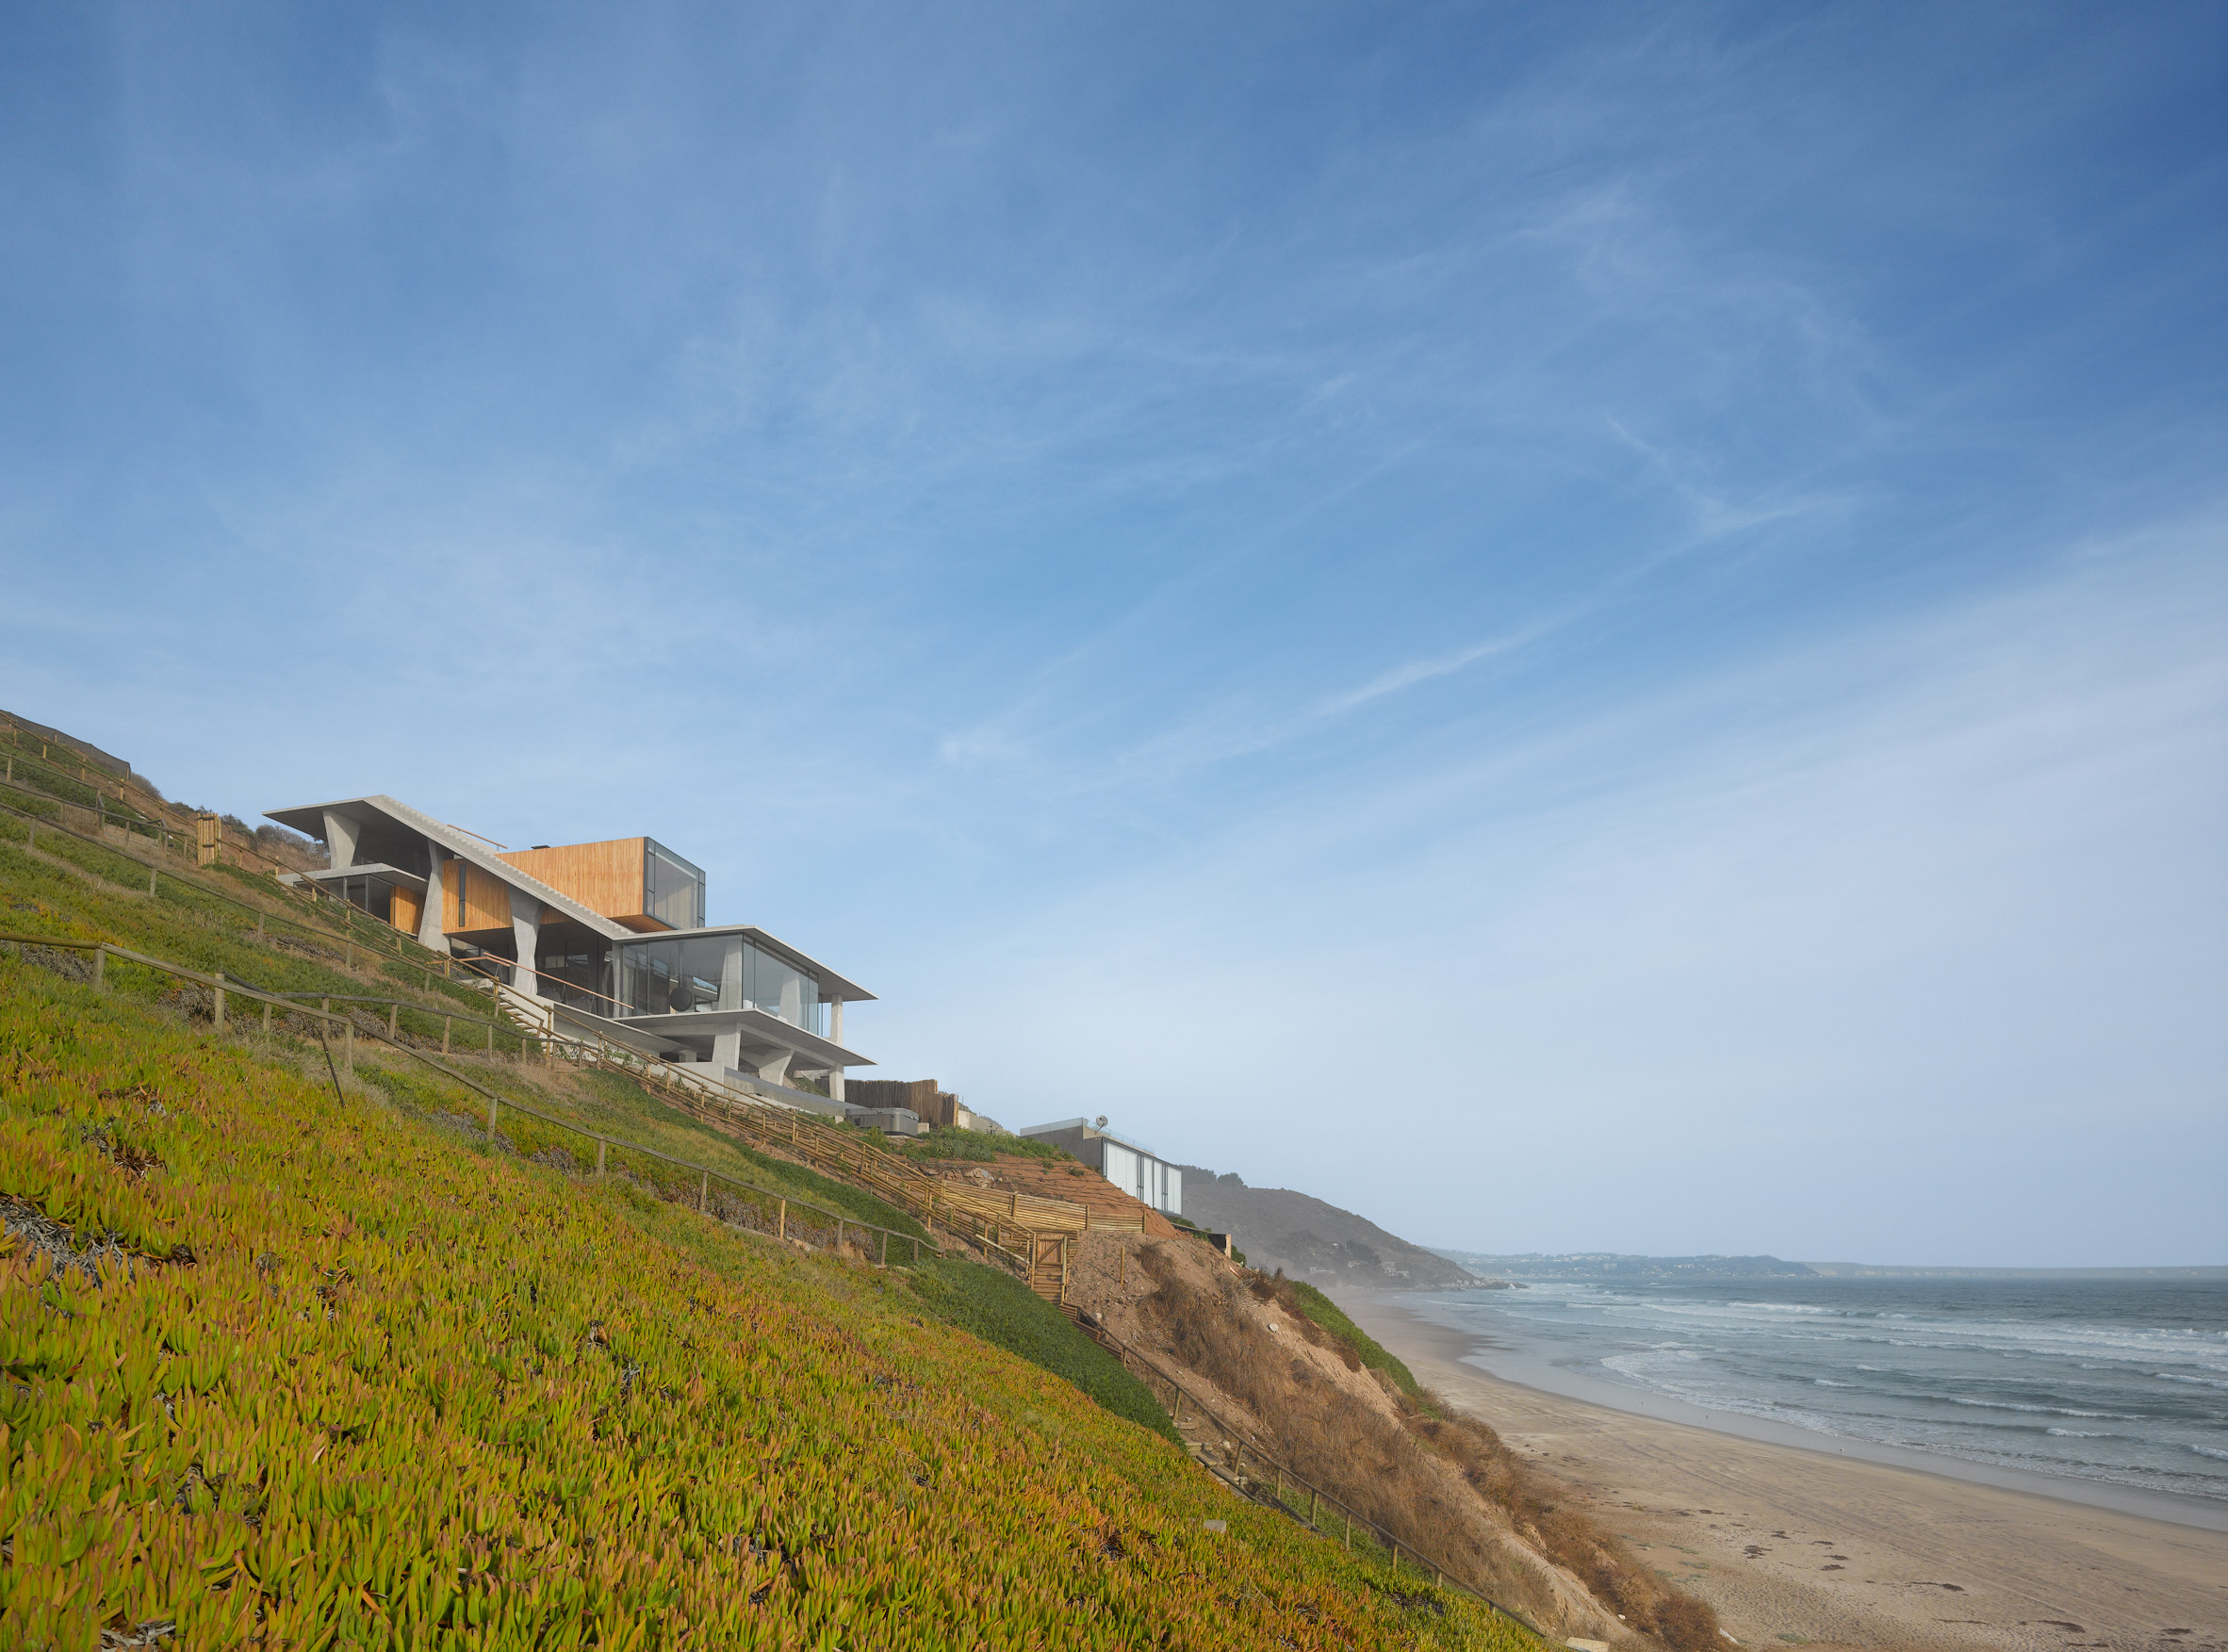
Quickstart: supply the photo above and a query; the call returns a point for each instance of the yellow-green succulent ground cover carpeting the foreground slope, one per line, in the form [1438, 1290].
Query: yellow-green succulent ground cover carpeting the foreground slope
[322, 1370]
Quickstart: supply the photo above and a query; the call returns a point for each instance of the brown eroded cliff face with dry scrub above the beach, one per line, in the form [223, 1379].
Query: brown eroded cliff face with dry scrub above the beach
[1309, 1399]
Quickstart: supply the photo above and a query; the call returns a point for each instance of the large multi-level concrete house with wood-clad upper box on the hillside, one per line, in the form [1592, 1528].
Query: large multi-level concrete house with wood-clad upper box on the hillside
[605, 934]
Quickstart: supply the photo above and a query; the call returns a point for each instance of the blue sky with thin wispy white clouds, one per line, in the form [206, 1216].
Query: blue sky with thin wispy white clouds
[1576, 627]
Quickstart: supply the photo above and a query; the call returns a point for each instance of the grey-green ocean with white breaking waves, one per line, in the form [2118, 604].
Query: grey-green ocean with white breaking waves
[2082, 1379]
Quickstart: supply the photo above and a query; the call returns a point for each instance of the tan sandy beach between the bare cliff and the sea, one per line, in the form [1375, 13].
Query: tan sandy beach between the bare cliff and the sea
[1817, 1546]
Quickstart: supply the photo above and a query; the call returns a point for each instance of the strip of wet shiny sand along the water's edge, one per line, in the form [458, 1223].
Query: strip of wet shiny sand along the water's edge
[1509, 1366]
